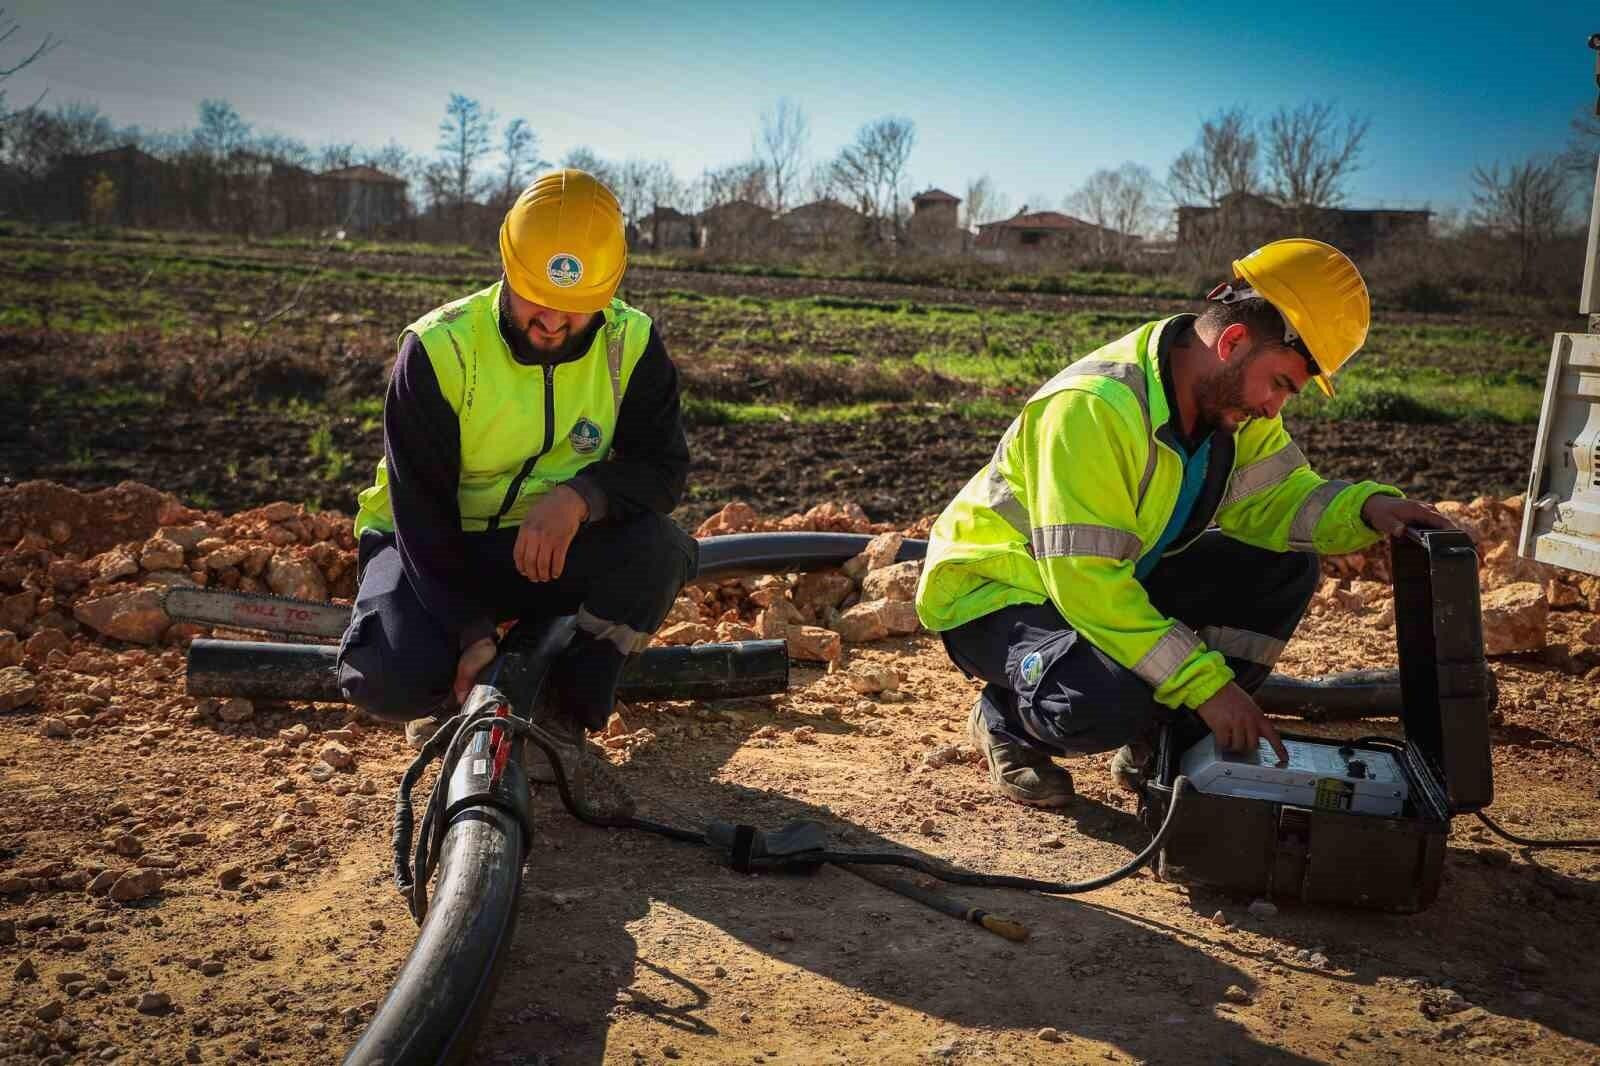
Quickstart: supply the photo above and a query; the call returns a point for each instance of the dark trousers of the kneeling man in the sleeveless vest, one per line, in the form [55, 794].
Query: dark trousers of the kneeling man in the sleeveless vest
[398, 662]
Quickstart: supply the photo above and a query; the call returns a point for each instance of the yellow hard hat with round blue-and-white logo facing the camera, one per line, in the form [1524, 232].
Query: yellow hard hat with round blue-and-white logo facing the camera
[564, 242]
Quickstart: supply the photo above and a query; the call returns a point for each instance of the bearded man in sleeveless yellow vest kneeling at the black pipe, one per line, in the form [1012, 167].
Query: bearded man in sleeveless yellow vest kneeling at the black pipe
[534, 447]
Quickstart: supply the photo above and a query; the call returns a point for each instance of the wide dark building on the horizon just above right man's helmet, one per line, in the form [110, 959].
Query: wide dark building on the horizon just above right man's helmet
[1249, 218]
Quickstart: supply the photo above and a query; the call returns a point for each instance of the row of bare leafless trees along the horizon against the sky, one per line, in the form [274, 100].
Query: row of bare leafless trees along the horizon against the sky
[1303, 158]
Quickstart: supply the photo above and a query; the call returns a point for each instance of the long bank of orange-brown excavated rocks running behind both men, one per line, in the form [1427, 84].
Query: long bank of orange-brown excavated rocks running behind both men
[89, 569]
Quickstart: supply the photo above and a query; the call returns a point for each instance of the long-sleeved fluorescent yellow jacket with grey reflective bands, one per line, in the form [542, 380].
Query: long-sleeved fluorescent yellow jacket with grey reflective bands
[1084, 484]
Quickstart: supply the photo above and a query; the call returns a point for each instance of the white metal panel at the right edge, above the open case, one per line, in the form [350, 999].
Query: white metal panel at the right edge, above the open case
[1561, 521]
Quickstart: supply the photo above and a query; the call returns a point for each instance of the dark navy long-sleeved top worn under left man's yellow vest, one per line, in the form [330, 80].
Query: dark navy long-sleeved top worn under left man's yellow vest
[646, 471]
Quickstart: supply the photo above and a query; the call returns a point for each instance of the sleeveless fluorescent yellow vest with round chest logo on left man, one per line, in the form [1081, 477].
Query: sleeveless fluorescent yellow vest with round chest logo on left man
[524, 430]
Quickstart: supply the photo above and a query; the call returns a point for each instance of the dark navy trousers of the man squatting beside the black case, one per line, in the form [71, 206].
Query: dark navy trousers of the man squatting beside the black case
[1242, 601]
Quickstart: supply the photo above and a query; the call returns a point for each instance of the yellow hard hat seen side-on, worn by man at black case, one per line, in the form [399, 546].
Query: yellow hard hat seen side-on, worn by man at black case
[1321, 295]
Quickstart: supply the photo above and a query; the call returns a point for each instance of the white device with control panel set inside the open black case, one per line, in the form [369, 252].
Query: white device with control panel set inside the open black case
[1327, 777]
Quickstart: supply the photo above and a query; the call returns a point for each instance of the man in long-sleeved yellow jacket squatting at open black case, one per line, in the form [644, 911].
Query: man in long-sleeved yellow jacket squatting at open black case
[1145, 539]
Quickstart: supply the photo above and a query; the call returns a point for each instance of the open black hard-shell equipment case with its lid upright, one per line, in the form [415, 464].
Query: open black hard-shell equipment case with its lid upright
[1319, 856]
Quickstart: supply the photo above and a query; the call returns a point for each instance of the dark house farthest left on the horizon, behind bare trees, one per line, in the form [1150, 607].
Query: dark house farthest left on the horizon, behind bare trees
[122, 186]
